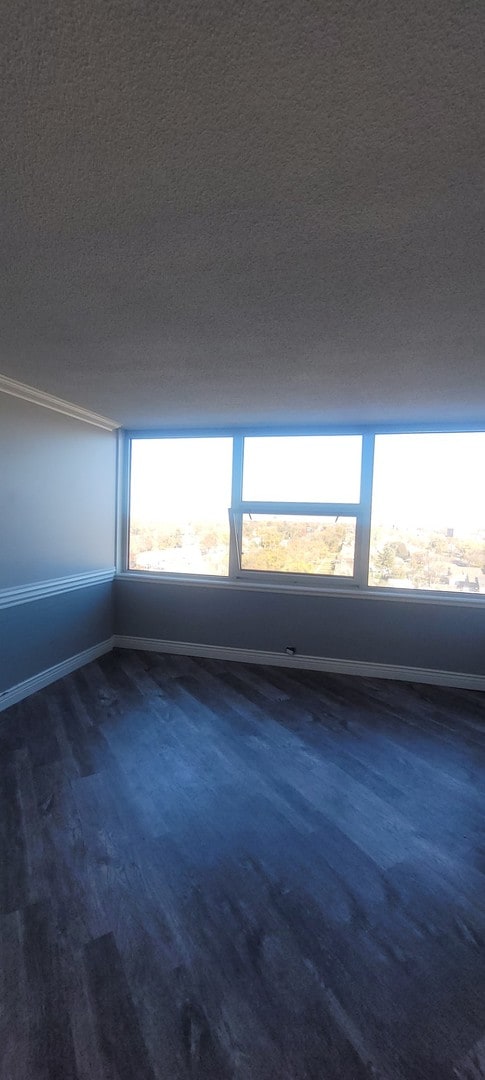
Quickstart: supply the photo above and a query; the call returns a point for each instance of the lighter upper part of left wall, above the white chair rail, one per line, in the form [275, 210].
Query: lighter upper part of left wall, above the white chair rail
[57, 494]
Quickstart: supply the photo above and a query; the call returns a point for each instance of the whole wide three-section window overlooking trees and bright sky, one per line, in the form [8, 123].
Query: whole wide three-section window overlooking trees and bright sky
[365, 510]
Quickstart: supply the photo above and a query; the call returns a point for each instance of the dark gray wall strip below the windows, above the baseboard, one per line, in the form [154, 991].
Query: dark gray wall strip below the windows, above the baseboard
[378, 630]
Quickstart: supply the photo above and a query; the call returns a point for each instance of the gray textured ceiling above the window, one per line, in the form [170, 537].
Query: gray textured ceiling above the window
[233, 211]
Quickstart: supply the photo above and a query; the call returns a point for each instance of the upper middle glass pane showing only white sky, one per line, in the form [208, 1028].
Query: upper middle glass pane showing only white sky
[303, 469]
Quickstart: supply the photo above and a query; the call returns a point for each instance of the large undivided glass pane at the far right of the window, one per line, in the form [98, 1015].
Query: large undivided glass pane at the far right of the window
[428, 520]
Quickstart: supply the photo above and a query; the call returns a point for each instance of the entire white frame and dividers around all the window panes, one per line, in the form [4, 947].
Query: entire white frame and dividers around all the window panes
[286, 582]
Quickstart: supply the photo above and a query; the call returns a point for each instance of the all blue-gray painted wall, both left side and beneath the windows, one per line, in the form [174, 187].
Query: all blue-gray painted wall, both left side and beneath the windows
[58, 493]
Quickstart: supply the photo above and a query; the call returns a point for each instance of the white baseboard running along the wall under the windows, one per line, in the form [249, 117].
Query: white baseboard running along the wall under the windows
[460, 680]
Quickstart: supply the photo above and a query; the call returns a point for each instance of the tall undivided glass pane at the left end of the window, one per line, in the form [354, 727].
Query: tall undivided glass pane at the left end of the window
[181, 491]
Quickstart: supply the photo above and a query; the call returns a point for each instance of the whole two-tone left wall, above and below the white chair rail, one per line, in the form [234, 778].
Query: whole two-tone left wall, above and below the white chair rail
[58, 491]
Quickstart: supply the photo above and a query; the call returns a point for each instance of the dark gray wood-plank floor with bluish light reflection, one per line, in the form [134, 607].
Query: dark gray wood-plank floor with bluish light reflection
[214, 871]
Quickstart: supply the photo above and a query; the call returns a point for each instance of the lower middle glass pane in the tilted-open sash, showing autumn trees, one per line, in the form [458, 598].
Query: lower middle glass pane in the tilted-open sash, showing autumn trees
[297, 545]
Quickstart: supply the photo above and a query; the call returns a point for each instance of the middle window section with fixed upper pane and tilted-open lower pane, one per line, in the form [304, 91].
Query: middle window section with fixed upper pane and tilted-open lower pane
[300, 506]
